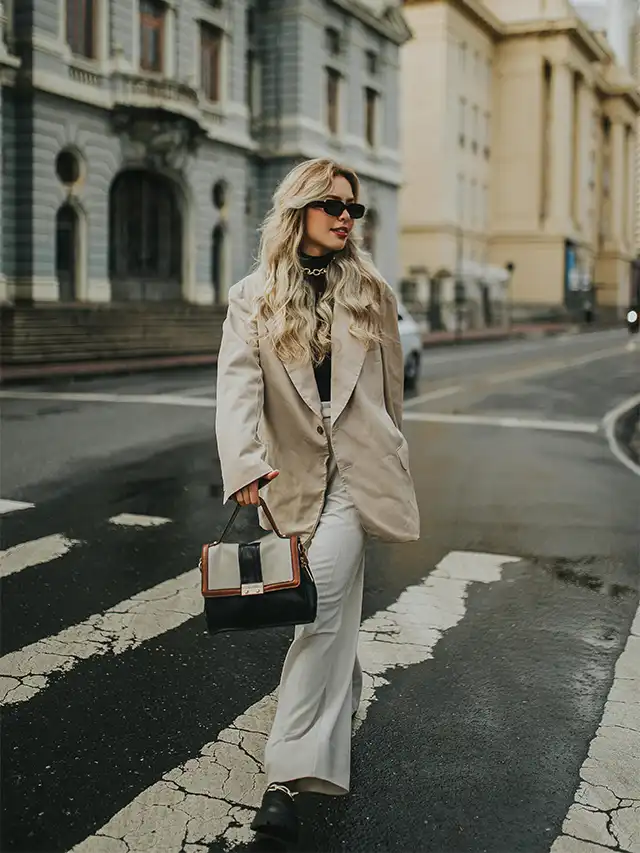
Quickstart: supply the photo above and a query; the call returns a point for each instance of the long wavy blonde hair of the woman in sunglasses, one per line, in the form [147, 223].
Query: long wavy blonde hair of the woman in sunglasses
[300, 330]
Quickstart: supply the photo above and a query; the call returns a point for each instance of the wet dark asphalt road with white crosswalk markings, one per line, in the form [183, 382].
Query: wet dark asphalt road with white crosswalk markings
[503, 663]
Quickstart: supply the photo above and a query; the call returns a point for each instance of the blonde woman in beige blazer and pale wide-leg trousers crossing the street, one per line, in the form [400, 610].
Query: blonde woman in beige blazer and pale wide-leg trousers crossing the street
[309, 406]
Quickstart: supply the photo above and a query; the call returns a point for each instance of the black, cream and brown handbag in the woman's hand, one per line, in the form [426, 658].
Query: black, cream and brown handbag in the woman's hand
[262, 584]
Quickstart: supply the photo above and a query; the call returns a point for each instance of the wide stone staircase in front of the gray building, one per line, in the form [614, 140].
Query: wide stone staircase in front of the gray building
[57, 334]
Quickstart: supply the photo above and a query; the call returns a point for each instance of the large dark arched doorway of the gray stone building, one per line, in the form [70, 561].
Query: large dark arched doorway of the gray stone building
[145, 237]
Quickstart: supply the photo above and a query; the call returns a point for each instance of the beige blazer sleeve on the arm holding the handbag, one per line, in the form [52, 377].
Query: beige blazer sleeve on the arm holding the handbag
[240, 396]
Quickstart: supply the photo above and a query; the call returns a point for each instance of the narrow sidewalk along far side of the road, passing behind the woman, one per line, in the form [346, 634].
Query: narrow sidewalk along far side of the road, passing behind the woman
[36, 372]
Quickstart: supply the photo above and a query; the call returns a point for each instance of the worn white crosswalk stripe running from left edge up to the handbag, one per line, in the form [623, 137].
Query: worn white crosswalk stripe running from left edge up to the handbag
[127, 625]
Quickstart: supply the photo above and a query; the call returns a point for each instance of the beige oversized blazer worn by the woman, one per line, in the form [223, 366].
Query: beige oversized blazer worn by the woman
[269, 417]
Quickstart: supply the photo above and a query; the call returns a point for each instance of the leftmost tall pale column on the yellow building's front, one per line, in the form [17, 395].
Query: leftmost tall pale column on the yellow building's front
[561, 163]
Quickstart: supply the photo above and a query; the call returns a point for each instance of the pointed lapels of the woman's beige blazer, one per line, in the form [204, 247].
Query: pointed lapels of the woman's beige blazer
[347, 358]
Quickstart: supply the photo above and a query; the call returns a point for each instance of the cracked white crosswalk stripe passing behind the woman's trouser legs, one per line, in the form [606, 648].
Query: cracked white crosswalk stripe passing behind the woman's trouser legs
[214, 796]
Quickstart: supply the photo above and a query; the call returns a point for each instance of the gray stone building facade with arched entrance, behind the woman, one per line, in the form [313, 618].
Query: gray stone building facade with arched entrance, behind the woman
[110, 117]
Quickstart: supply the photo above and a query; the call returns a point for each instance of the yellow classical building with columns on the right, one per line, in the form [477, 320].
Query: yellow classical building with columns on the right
[519, 141]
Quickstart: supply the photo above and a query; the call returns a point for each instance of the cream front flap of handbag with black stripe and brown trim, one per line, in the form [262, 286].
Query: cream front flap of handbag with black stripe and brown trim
[278, 564]
